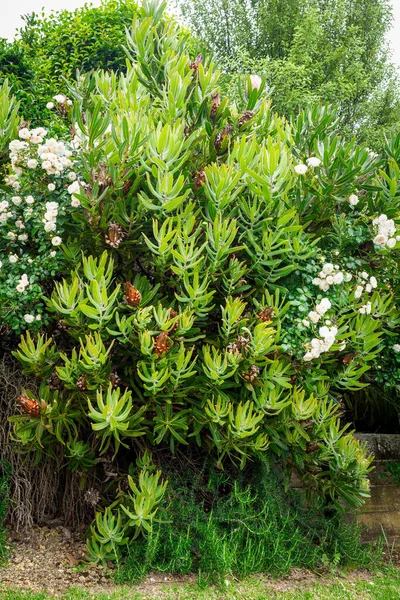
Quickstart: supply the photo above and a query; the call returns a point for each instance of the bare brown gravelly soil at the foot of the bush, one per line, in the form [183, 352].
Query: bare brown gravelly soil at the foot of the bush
[52, 560]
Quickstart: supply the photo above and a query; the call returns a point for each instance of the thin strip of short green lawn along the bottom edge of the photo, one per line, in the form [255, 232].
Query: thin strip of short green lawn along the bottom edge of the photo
[380, 587]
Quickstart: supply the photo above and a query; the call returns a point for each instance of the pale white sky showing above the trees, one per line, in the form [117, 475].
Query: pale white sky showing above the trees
[10, 20]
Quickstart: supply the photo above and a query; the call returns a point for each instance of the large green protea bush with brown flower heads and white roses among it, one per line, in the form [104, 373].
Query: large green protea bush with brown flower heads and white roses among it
[225, 277]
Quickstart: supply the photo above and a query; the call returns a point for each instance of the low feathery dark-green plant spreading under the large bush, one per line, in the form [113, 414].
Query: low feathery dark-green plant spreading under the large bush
[236, 523]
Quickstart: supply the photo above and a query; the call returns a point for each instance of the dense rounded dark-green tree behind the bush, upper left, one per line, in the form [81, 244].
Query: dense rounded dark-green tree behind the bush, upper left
[52, 47]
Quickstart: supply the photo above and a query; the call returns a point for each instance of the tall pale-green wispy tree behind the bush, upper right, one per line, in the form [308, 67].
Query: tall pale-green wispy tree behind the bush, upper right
[330, 51]
